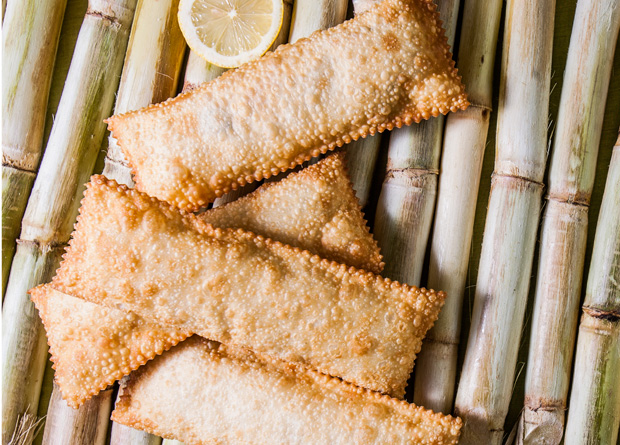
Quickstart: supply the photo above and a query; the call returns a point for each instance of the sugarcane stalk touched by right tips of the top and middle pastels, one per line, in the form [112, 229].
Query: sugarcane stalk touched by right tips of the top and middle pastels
[459, 179]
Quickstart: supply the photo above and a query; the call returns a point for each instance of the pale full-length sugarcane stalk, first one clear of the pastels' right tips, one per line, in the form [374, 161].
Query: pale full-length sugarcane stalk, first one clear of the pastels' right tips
[485, 388]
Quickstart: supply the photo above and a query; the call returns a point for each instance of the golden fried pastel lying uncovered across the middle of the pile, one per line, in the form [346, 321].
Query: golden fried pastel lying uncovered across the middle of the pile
[135, 253]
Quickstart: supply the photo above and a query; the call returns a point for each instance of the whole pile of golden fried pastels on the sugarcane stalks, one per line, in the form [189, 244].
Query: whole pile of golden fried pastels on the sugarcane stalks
[294, 338]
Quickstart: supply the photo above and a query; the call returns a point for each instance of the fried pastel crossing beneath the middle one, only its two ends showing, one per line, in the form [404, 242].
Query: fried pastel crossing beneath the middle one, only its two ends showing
[92, 346]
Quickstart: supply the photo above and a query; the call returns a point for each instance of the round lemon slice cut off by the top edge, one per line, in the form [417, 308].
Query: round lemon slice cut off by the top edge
[228, 33]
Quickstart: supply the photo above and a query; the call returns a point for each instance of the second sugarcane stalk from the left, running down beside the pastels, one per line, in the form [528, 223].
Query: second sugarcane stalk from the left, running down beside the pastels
[69, 158]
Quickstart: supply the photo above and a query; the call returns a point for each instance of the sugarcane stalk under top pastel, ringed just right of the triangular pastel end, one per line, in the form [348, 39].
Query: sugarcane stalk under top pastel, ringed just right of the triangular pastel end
[407, 200]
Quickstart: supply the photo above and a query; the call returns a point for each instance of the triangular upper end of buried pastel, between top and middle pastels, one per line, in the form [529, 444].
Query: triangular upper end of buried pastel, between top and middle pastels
[315, 209]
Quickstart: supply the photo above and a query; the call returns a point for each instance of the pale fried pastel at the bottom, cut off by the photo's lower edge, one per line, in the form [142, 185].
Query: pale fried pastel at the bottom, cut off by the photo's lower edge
[203, 393]
